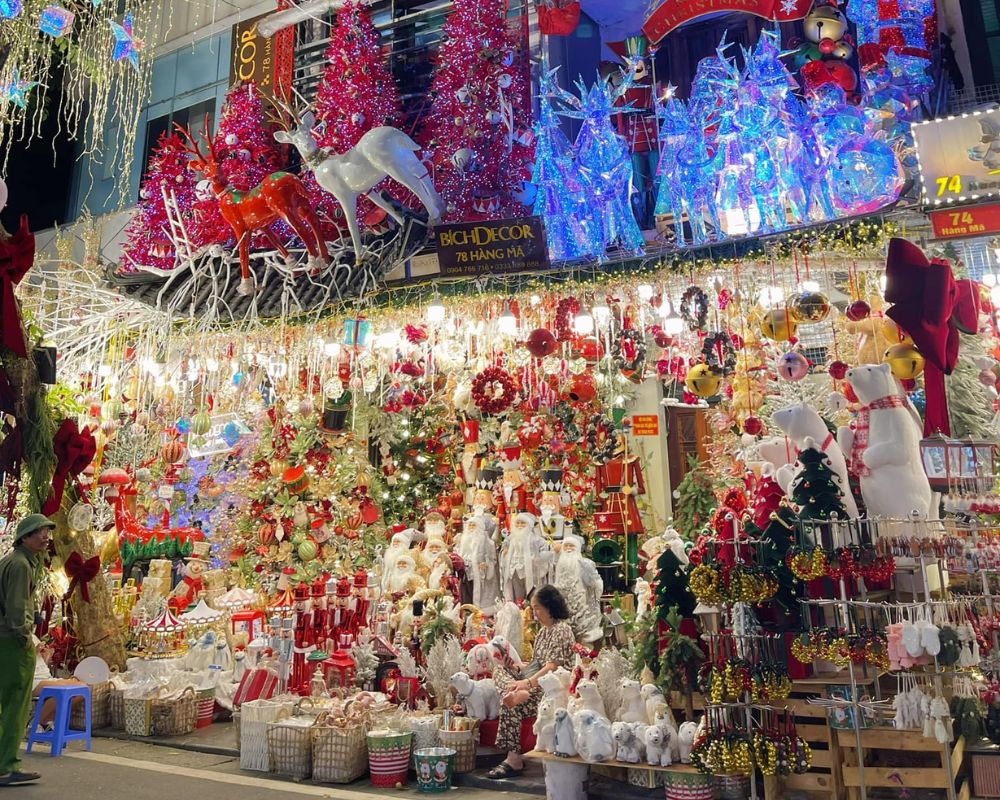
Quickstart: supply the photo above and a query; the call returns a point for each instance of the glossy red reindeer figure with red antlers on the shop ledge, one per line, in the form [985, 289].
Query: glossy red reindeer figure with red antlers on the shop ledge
[280, 195]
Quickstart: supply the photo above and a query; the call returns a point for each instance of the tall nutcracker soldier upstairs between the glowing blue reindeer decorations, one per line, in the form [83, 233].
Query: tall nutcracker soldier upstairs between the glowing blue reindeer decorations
[638, 125]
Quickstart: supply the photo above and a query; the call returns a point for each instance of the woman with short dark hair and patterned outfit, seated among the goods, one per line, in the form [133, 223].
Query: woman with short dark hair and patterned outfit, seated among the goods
[520, 692]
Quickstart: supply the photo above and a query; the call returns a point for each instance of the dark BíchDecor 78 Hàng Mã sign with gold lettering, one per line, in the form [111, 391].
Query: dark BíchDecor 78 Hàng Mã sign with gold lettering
[505, 245]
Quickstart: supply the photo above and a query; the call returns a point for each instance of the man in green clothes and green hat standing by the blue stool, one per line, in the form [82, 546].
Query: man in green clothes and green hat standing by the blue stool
[18, 574]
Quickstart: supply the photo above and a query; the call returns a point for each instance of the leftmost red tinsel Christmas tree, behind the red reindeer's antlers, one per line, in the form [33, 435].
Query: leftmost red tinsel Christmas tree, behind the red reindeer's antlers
[148, 240]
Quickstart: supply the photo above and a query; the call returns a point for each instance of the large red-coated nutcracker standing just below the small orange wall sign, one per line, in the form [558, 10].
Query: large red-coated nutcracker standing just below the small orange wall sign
[617, 484]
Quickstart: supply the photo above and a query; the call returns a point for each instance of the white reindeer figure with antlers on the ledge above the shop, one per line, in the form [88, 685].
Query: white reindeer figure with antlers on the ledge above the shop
[381, 152]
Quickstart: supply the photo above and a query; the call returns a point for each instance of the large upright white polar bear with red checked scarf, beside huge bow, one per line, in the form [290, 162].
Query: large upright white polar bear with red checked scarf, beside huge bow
[893, 483]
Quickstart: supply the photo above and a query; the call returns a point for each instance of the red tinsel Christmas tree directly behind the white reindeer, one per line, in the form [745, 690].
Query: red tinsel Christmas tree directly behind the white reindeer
[356, 93]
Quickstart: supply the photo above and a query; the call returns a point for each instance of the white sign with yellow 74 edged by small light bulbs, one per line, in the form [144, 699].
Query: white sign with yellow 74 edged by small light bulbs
[959, 157]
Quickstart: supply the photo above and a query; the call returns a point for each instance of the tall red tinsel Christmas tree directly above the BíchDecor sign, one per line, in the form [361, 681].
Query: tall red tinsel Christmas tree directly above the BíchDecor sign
[479, 128]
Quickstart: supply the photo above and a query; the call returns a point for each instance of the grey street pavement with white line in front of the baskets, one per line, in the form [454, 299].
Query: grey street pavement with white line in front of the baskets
[123, 770]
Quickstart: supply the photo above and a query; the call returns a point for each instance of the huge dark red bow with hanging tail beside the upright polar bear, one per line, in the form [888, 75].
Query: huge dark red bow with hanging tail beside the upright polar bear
[932, 307]
